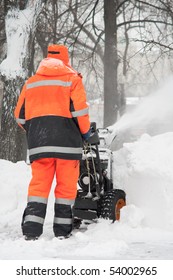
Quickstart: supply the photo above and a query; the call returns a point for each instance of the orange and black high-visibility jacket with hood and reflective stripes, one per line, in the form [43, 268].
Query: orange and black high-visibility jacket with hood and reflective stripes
[52, 109]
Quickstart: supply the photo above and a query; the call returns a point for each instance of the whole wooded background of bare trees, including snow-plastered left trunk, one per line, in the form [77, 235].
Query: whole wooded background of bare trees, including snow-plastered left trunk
[122, 48]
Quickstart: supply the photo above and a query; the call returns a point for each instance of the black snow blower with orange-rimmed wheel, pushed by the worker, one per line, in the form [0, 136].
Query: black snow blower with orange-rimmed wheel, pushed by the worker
[96, 196]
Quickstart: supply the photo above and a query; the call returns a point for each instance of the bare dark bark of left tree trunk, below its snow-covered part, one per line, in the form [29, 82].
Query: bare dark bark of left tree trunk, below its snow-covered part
[12, 138]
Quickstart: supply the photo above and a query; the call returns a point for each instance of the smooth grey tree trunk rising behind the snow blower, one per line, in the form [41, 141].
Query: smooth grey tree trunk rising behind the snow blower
[111, 99]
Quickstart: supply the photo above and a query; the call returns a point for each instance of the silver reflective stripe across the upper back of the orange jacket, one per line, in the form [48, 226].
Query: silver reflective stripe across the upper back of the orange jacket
[48, 83]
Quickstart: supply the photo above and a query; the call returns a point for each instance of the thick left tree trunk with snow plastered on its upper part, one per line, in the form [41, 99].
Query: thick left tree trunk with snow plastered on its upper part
[14, 70]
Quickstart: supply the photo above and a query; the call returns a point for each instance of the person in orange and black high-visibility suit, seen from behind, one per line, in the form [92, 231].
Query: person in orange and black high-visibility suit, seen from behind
[53, 111]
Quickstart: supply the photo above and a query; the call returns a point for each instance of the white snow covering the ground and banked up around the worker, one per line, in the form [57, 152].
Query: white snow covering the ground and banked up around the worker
[143, 169]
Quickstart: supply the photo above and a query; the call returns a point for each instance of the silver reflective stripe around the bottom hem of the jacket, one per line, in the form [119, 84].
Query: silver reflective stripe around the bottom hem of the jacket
[53, 149]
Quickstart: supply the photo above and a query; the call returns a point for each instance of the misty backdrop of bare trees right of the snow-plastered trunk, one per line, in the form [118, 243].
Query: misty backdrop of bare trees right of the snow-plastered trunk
[110, 38]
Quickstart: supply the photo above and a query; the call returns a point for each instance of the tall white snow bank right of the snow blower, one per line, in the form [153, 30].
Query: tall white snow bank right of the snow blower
[144, 170]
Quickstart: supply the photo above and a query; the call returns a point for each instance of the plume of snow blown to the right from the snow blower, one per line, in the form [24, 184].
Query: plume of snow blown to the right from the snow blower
[152, 115]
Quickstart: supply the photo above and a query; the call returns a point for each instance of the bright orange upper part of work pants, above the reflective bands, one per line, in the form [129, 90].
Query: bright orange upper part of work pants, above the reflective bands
[43, 171]
